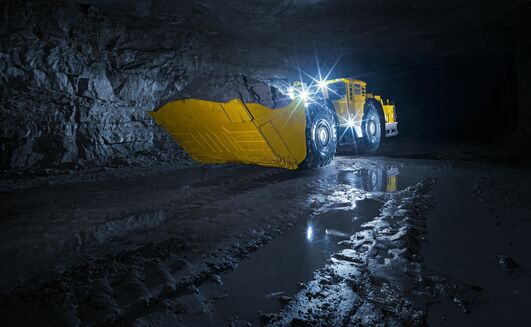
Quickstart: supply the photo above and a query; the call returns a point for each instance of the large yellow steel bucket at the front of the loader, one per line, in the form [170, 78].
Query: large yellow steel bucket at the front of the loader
[237, 132]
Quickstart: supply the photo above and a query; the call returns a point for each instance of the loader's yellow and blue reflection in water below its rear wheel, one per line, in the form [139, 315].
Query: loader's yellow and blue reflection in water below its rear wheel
[376, 179]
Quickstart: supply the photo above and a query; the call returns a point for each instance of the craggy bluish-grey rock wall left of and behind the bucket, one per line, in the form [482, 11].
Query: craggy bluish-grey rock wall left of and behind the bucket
[76, 84]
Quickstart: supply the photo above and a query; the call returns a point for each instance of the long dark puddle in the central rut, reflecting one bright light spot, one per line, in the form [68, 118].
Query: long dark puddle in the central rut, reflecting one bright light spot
[276, 269]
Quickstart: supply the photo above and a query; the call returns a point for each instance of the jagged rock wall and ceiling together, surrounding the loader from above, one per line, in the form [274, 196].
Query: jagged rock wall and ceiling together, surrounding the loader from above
[77, 77]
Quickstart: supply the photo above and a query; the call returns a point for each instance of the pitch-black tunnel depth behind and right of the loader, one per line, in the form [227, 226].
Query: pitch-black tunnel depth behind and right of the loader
[454, 99]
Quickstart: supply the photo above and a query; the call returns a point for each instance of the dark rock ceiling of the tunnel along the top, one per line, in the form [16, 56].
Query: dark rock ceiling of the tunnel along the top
[408, 29]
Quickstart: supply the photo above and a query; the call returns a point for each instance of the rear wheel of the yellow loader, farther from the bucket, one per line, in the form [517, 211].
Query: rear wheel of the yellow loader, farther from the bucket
[372, 127]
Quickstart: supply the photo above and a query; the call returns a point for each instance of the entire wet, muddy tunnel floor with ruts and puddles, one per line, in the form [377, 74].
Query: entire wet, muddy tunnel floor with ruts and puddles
[364, 241]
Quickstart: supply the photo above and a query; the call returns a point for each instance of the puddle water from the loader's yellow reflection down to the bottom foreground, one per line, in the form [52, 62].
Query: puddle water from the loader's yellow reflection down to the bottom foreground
[293, 257]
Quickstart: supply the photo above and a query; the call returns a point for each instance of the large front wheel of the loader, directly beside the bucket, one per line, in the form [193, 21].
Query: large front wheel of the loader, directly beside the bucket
[321, 136]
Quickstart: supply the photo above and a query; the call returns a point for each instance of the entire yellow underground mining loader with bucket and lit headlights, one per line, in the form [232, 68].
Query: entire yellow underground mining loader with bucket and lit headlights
[331, 115]
